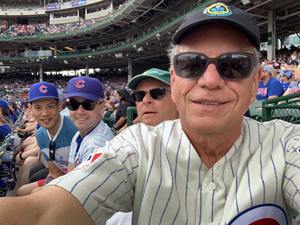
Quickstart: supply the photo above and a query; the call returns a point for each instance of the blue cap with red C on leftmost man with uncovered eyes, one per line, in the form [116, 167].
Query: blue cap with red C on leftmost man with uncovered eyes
[42, 90]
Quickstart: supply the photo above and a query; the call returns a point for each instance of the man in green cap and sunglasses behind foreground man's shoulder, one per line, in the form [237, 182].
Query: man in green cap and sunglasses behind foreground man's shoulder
[152, 94]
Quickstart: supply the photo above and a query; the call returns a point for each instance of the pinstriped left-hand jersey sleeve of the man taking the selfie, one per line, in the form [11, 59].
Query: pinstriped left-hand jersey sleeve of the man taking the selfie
[117, 162]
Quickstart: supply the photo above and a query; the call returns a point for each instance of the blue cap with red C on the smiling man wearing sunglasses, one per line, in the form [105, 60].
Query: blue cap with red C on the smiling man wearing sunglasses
[85, 87]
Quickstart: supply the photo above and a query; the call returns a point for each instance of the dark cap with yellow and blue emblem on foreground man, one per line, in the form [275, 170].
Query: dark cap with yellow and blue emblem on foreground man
[220, 13]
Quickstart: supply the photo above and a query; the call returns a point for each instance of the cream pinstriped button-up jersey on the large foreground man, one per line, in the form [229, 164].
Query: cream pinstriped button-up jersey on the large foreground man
[157, 173]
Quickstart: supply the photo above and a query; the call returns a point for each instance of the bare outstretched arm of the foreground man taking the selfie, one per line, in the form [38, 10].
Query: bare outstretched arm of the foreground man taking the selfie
[44, 207]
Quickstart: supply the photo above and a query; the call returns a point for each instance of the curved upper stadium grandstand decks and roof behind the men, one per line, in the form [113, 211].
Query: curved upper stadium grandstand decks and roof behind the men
[128, 36]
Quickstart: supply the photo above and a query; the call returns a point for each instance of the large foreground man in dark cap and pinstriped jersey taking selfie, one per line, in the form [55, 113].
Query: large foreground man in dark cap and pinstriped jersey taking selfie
[212, 166]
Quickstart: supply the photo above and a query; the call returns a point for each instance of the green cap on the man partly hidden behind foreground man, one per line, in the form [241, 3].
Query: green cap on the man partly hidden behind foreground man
[162, 75]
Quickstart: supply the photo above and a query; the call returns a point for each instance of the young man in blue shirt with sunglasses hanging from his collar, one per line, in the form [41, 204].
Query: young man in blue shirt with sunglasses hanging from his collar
[55, 135]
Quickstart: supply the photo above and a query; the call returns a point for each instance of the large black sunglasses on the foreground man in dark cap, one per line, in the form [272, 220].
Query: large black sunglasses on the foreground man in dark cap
[231, 66]
